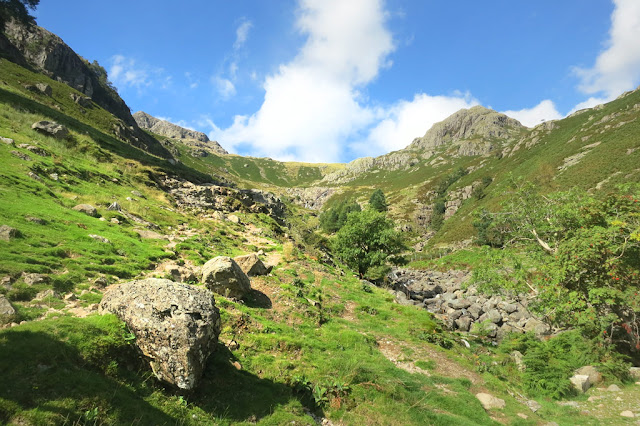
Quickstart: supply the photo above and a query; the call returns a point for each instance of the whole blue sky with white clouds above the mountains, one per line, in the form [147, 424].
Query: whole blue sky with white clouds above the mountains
[333, 80]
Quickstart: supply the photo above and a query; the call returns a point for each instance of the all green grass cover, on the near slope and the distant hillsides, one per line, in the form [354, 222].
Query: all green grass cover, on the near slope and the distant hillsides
[311, 342]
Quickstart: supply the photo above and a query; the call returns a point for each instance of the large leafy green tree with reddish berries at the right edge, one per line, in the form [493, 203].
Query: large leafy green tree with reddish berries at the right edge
[583, 257]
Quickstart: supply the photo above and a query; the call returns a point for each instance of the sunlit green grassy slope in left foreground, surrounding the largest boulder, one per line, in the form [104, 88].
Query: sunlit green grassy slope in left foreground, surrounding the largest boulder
[296, 355]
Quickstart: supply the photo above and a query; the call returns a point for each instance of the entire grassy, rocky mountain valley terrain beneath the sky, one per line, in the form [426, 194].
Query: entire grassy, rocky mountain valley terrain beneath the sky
[111, 233]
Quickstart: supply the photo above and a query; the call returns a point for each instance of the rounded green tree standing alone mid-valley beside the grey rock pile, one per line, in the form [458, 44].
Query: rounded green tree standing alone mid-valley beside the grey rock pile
[368, 239]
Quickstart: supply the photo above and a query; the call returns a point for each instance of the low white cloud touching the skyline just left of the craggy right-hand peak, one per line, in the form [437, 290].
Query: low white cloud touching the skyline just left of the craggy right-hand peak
[405, 121]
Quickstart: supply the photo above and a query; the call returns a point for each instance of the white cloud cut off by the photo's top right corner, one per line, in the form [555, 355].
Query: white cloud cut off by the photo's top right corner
[617, 68]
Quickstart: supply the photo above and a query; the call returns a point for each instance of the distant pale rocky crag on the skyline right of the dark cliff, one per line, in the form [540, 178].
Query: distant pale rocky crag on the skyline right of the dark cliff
[195, 139]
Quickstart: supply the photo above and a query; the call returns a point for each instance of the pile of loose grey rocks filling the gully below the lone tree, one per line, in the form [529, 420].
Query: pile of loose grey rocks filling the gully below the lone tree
[463, 309]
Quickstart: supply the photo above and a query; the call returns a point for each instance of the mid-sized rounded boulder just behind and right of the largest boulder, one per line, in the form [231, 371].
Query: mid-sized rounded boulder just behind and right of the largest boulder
[222, 275]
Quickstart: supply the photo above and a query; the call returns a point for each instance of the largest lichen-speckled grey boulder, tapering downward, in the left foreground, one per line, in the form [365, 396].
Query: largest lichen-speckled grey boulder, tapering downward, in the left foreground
[176, 326]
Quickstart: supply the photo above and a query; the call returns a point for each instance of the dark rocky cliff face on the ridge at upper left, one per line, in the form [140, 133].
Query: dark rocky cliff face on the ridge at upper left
[28, 44]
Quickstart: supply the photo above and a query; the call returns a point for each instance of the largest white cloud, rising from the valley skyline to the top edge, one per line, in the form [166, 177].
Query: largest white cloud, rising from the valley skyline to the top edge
[312, 105]
